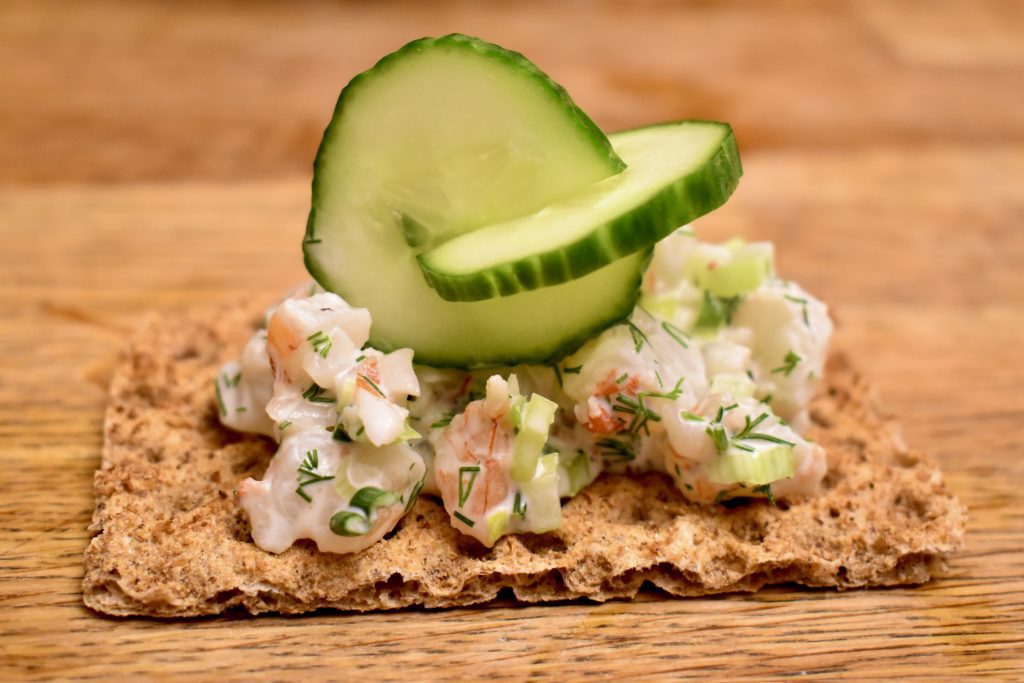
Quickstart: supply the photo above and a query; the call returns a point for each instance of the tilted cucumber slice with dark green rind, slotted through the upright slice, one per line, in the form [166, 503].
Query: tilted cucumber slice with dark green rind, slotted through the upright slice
[676, 173]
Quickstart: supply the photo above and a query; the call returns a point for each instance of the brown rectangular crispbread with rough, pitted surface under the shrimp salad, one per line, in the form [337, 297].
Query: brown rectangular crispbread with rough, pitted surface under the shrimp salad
[172, 541]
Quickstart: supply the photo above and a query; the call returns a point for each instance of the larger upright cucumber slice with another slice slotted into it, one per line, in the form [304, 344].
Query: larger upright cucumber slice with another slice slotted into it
[441, 138]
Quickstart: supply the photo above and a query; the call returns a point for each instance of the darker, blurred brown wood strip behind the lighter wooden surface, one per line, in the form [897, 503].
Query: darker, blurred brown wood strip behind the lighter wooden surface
[124, 92]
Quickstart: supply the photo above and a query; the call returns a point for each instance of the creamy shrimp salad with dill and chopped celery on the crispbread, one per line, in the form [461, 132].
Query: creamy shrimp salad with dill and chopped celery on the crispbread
[708, 381]
